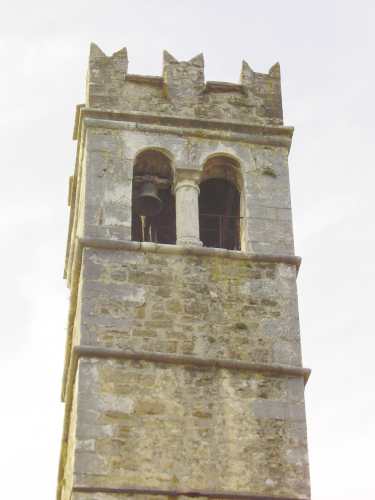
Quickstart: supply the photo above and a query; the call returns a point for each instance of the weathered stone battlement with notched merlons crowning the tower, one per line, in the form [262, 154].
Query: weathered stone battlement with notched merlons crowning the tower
[182, 90]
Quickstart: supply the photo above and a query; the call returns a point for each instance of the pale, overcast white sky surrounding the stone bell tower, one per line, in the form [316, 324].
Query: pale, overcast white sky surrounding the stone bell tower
[326, 51]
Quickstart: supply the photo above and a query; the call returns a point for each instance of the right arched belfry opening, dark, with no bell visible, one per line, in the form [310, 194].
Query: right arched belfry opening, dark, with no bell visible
[219, 205]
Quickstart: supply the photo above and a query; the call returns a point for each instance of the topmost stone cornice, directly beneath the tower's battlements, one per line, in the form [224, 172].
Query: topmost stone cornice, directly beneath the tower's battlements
[233, 131]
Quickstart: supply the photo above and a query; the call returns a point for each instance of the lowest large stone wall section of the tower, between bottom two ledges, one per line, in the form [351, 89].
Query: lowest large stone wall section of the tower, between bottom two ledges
[173, 427]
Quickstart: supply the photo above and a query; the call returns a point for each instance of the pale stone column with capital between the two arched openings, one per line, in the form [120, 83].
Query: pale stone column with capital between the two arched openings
[187, 208]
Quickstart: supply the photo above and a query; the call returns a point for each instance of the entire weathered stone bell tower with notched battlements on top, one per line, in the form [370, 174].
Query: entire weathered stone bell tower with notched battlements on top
[183, 374]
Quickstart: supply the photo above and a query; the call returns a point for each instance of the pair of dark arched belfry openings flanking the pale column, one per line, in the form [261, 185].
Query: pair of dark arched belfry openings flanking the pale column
[153, 202]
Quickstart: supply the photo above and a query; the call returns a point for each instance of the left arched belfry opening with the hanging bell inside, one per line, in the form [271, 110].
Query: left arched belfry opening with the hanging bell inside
[153, 203]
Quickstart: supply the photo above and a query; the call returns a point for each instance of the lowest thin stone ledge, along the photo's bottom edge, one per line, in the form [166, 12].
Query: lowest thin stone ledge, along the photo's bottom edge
[176, 493]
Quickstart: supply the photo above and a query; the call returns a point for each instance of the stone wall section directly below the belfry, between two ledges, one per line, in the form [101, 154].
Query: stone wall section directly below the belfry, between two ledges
[205, 306]
